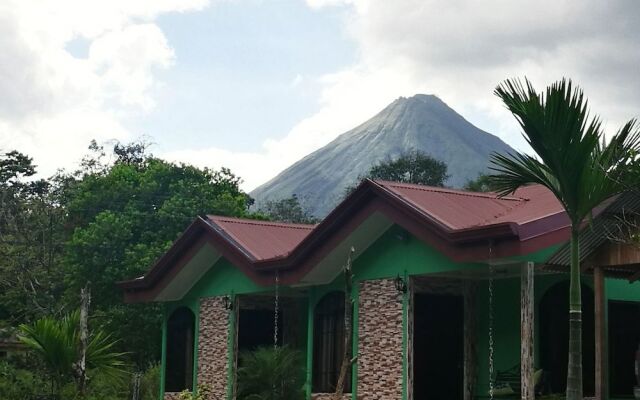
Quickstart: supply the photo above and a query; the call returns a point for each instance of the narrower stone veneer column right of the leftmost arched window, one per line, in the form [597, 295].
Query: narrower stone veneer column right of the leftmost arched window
[213, 346]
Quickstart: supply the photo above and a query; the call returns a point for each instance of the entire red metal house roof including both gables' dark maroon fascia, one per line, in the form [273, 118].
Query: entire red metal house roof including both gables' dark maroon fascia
[458, 223]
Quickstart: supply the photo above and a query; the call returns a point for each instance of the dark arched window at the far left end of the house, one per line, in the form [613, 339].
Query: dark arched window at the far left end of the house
[179, 351]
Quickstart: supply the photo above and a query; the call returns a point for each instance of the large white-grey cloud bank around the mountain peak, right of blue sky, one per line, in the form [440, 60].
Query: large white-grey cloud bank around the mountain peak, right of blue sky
[460, 50]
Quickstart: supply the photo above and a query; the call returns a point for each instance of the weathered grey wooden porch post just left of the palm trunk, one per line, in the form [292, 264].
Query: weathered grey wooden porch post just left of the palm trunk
[526, 332]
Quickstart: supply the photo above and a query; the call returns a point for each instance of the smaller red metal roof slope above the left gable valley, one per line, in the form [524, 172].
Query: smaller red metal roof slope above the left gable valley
[262, 239]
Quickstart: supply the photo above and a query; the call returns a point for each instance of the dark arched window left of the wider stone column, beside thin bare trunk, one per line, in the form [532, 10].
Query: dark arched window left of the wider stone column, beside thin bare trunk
[328, 343]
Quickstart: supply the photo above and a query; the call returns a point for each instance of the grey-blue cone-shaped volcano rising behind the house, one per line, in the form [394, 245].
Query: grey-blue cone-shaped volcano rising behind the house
[421, 122]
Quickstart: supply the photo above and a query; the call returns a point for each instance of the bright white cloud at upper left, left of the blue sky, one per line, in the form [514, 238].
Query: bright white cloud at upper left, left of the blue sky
[52, 103]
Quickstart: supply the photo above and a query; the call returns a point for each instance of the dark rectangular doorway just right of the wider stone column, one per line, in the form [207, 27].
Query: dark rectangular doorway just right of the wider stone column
[438, 341]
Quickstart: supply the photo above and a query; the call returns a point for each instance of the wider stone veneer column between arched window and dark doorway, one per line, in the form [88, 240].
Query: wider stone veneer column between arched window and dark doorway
[380, 361]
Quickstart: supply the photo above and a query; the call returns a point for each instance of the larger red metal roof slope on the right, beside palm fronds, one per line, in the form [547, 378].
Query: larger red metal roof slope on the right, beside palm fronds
[457, 209]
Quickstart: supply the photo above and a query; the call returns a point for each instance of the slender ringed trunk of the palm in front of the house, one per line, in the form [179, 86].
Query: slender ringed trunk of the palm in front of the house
[574, 370]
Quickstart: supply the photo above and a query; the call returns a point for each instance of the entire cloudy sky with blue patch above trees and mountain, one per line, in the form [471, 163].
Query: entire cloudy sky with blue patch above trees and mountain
[255, 85]
